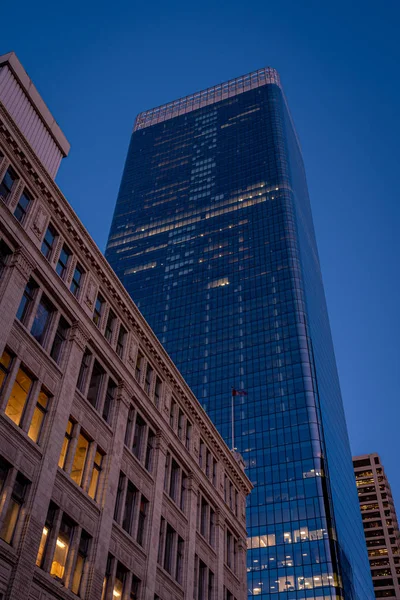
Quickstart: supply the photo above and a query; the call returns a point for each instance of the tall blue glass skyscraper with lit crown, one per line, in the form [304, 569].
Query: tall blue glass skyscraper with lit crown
[213, 238]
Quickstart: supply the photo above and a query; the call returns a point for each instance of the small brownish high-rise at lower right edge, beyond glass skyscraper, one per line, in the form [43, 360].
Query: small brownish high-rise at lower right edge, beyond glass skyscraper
[381, 527]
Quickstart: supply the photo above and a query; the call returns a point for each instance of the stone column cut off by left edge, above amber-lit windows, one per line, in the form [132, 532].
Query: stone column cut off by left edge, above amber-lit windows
[15, 277]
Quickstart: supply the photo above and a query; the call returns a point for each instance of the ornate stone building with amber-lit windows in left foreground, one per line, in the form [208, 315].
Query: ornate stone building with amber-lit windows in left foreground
[114, 484]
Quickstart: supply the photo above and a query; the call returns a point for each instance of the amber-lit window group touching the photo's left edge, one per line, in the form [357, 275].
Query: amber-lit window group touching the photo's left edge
[26, 400]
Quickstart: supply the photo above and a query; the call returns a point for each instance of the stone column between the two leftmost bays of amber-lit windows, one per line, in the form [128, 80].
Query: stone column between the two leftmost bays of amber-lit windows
[42, 488]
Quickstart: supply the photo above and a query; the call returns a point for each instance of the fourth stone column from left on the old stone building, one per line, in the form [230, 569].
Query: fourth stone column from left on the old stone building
[155, 517]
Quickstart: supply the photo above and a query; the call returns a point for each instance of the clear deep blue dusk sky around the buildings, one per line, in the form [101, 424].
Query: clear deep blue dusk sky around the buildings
[98, 64]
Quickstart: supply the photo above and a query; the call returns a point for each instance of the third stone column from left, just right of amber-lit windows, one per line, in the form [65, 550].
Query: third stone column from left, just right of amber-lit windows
[102, 541]
